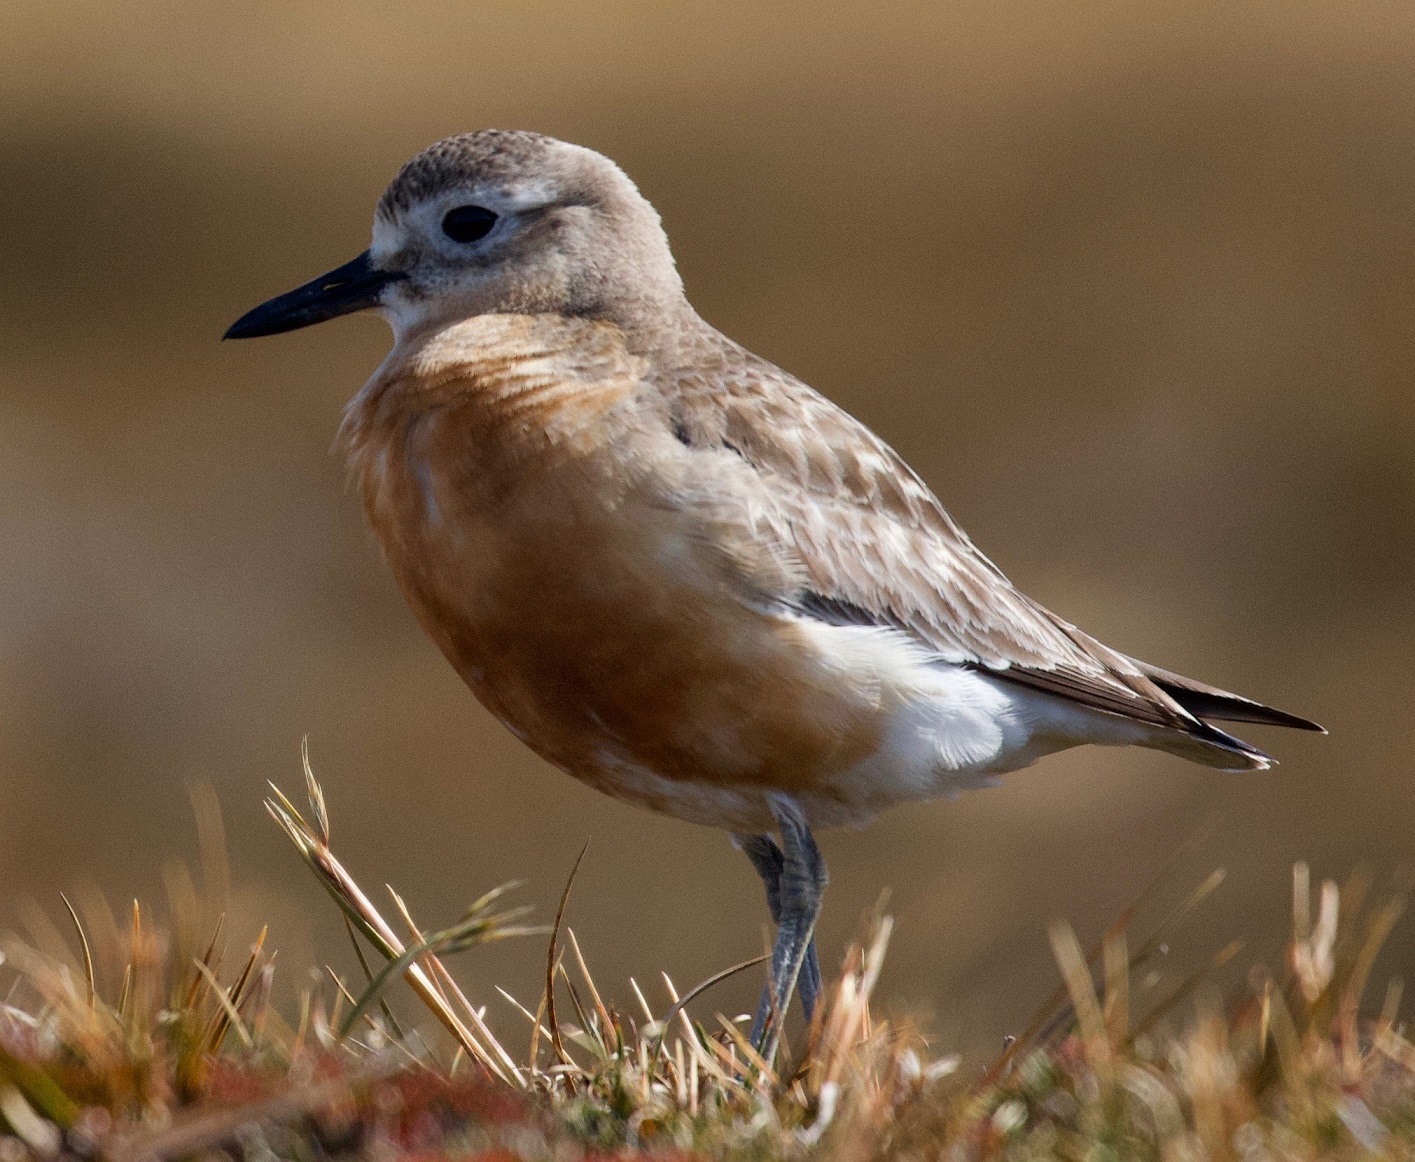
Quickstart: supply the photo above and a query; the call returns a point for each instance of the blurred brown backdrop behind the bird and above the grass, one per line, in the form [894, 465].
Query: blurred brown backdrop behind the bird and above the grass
[1131, 285]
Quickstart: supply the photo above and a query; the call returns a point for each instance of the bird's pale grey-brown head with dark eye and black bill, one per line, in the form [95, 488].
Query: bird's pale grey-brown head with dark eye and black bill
[496, 223]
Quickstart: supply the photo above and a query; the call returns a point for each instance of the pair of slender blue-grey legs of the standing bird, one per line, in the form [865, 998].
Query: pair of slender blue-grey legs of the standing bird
[795, 875]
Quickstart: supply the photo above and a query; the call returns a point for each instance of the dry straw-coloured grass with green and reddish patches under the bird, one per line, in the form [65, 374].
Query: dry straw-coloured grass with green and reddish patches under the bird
[127, 1041]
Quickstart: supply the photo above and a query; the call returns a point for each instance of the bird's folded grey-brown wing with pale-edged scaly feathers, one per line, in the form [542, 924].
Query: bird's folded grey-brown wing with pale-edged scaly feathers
[872, 543]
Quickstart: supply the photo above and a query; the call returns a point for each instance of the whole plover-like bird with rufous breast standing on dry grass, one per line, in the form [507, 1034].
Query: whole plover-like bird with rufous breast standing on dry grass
[671, 568]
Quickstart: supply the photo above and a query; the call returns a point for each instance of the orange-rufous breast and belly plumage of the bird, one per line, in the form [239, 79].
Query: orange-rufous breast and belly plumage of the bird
[527, 493]
